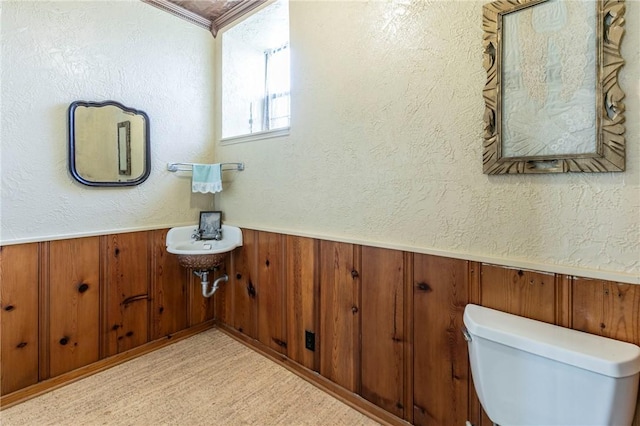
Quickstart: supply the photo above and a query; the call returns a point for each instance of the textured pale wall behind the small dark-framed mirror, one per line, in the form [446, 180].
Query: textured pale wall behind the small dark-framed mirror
[56, 52]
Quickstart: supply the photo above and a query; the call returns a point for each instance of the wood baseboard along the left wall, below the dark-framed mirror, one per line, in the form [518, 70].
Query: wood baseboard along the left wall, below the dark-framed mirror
[45, 386]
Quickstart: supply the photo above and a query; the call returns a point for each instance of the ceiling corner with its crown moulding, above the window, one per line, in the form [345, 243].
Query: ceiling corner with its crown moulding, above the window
[209, 14]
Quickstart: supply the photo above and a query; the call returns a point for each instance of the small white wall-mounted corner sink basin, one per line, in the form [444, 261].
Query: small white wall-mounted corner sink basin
[202, 254]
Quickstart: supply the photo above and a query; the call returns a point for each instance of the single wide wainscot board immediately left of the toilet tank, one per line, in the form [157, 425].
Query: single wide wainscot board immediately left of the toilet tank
[441, 366]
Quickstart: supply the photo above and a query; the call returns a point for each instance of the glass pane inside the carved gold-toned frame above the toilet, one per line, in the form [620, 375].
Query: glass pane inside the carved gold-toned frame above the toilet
[548, 79]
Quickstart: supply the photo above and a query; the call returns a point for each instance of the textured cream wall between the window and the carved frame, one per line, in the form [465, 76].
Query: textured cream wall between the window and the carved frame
[386, 149]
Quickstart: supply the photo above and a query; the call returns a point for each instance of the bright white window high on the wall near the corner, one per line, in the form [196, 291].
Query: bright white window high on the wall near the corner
[255, 74]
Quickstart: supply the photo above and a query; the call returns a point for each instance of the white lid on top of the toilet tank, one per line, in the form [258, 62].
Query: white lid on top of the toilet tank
[594, 353]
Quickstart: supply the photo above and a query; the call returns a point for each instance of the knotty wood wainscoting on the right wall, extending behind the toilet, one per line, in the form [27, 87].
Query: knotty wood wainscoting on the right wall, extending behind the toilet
[387, 324]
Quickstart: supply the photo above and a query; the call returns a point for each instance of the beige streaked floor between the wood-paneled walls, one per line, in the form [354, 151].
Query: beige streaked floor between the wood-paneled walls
[207, 379]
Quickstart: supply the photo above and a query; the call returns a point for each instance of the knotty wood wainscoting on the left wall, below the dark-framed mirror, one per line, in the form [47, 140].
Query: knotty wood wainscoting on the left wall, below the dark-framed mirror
[68, 304]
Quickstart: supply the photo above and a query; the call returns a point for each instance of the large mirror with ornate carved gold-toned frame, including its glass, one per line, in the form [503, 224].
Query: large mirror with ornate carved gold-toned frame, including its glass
[552, 99]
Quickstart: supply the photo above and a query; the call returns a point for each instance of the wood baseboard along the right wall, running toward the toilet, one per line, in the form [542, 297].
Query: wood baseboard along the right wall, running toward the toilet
[351, 399]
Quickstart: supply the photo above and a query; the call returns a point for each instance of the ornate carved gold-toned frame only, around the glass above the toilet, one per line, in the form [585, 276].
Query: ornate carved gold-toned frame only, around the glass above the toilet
[609, 155]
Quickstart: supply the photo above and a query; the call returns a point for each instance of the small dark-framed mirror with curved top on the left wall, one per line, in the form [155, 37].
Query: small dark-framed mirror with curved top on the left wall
[108, 144]
